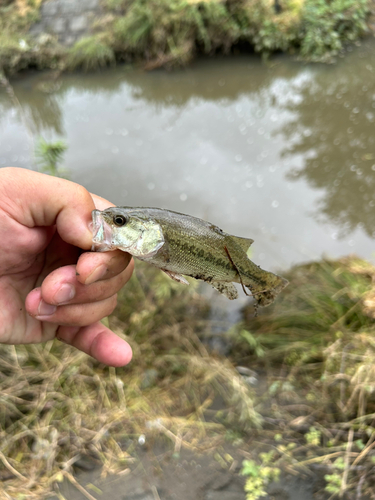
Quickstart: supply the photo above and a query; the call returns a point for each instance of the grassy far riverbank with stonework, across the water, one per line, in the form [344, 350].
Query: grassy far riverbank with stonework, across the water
[172, 32]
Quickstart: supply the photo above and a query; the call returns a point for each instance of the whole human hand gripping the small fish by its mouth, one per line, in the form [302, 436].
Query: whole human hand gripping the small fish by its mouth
[48, 287]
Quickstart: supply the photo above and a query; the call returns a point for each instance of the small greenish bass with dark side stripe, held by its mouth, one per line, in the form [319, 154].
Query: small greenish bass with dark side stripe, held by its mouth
[182, 245]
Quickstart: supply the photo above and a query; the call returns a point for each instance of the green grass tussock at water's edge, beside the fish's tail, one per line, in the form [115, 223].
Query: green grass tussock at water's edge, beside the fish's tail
[326, 300]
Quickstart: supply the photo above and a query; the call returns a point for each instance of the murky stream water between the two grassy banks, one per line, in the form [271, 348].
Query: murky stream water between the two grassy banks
[283, 153]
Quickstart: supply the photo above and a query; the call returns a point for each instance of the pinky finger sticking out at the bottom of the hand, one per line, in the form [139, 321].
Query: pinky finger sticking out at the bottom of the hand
[97, 341]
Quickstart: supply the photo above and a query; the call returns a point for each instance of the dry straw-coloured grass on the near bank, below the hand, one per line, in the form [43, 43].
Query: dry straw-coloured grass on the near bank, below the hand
[58, 405]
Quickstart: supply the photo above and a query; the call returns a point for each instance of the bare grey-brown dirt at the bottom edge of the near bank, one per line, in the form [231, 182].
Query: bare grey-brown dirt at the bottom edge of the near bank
[161, 476]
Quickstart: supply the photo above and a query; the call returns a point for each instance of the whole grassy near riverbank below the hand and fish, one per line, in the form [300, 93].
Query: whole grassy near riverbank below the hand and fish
[294, 397]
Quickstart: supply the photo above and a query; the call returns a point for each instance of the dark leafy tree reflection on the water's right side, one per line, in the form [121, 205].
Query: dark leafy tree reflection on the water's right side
[333, 131]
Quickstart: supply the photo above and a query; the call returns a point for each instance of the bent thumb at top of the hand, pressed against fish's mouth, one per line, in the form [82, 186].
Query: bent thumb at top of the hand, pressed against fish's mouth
[36, 199]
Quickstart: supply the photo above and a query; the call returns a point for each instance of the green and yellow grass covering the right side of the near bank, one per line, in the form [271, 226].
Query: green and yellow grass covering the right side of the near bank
[319, 339]
